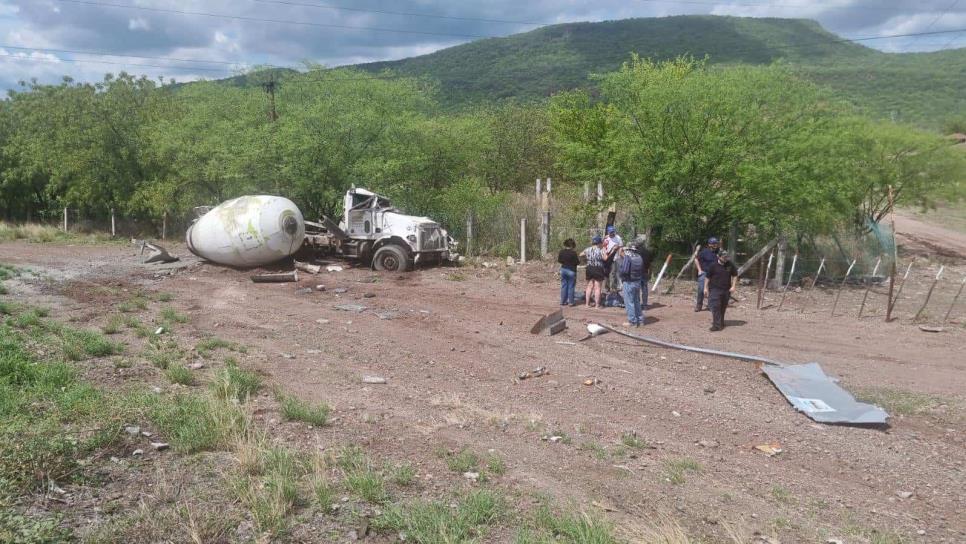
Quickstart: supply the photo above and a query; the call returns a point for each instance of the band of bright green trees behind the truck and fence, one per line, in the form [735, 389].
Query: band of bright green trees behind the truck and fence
[688, 148]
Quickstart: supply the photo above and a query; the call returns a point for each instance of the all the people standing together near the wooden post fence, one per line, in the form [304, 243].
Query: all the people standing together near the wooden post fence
[613, 267]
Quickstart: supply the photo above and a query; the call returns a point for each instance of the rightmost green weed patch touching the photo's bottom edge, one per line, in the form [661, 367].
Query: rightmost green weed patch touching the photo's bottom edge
[571, 527]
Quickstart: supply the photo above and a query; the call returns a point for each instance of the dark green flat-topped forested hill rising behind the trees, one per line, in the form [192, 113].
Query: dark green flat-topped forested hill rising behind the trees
[920, 88]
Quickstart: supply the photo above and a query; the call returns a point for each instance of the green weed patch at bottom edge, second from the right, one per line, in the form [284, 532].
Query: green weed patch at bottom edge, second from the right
[439, 523]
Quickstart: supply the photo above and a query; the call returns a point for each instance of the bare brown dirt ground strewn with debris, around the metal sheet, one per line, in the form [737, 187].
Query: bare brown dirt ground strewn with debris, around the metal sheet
[450, 344]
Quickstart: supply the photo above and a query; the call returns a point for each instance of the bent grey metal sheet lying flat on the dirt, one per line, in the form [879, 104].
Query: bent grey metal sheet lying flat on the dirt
[813, 393]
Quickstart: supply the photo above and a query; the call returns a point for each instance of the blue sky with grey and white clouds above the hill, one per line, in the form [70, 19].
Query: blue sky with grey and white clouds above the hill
[47, 39]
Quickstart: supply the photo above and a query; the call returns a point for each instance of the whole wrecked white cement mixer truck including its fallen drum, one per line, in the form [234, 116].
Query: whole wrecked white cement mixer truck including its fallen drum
[255, 230]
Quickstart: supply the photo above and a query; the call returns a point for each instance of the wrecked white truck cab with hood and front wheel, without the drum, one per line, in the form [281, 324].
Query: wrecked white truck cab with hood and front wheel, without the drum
[375, 230]
